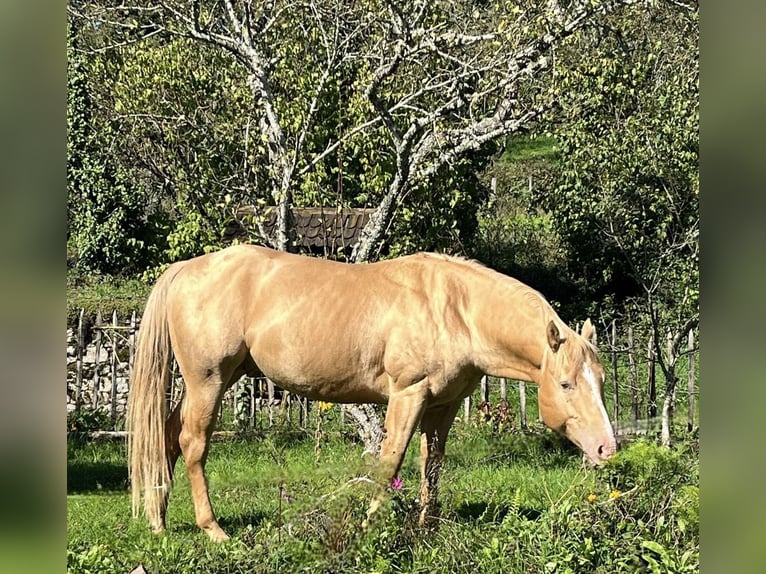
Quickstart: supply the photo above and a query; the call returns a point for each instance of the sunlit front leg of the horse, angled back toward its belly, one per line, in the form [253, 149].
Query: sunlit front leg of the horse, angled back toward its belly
[405, 408]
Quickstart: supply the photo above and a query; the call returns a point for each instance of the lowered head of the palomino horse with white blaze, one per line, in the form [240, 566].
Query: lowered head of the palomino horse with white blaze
[571, 392]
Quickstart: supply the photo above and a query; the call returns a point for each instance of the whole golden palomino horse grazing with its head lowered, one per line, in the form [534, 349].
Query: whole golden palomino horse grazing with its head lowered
[416, 332]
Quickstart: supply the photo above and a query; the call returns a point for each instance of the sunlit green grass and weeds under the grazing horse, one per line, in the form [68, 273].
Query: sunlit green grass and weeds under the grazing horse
[511, 502]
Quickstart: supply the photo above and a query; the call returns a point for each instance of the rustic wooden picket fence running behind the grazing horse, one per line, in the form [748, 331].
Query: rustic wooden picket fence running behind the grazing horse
[100, 359]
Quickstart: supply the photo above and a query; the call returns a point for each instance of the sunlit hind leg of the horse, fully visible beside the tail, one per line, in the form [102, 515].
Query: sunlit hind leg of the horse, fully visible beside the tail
[198, 416]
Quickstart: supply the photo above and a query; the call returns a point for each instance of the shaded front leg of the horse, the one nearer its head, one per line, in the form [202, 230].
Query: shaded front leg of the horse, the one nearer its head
[434, 428]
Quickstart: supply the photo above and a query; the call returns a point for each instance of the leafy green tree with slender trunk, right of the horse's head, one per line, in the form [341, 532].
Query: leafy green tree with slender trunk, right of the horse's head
[627, 202]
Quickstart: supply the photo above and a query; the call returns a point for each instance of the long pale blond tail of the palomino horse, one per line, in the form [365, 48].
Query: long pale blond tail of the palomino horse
[147, 409]
